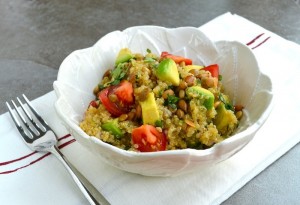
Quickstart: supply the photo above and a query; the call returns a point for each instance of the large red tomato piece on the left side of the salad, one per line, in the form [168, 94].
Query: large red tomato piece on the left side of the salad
[123, 101]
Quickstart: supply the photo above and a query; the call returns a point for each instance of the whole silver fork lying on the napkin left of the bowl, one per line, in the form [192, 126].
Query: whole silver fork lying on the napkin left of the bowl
[40, 137]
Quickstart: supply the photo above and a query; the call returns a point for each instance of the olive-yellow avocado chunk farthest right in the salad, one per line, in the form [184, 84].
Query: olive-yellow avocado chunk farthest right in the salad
[225, 120]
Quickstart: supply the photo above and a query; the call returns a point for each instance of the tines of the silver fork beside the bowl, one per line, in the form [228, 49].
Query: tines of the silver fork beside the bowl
[32, 129]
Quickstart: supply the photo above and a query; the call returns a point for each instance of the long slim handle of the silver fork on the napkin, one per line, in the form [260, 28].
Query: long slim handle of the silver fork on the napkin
[57, 153]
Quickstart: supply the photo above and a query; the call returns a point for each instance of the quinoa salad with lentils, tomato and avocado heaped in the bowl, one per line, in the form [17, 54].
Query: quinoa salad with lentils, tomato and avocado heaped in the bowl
[155, 102]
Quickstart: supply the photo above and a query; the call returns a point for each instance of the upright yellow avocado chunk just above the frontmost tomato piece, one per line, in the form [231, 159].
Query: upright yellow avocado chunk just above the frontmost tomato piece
[150, 113]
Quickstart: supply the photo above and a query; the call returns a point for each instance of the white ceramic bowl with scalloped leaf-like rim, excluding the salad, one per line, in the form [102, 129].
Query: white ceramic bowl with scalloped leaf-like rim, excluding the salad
[242, 78]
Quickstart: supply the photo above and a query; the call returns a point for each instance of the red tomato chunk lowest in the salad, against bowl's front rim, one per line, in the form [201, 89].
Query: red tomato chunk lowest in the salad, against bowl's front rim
[149, 139]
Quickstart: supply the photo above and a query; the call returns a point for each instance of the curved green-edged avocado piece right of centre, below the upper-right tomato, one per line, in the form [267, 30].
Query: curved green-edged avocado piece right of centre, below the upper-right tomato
[202, 93]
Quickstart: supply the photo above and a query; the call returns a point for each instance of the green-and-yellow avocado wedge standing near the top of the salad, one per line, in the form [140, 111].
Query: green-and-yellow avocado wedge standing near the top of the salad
[167, 71]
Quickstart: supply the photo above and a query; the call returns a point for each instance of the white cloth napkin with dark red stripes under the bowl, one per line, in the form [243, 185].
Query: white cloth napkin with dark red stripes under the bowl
[47, 182]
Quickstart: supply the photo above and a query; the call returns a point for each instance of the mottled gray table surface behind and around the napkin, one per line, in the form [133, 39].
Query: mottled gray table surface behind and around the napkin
[35, 36]
